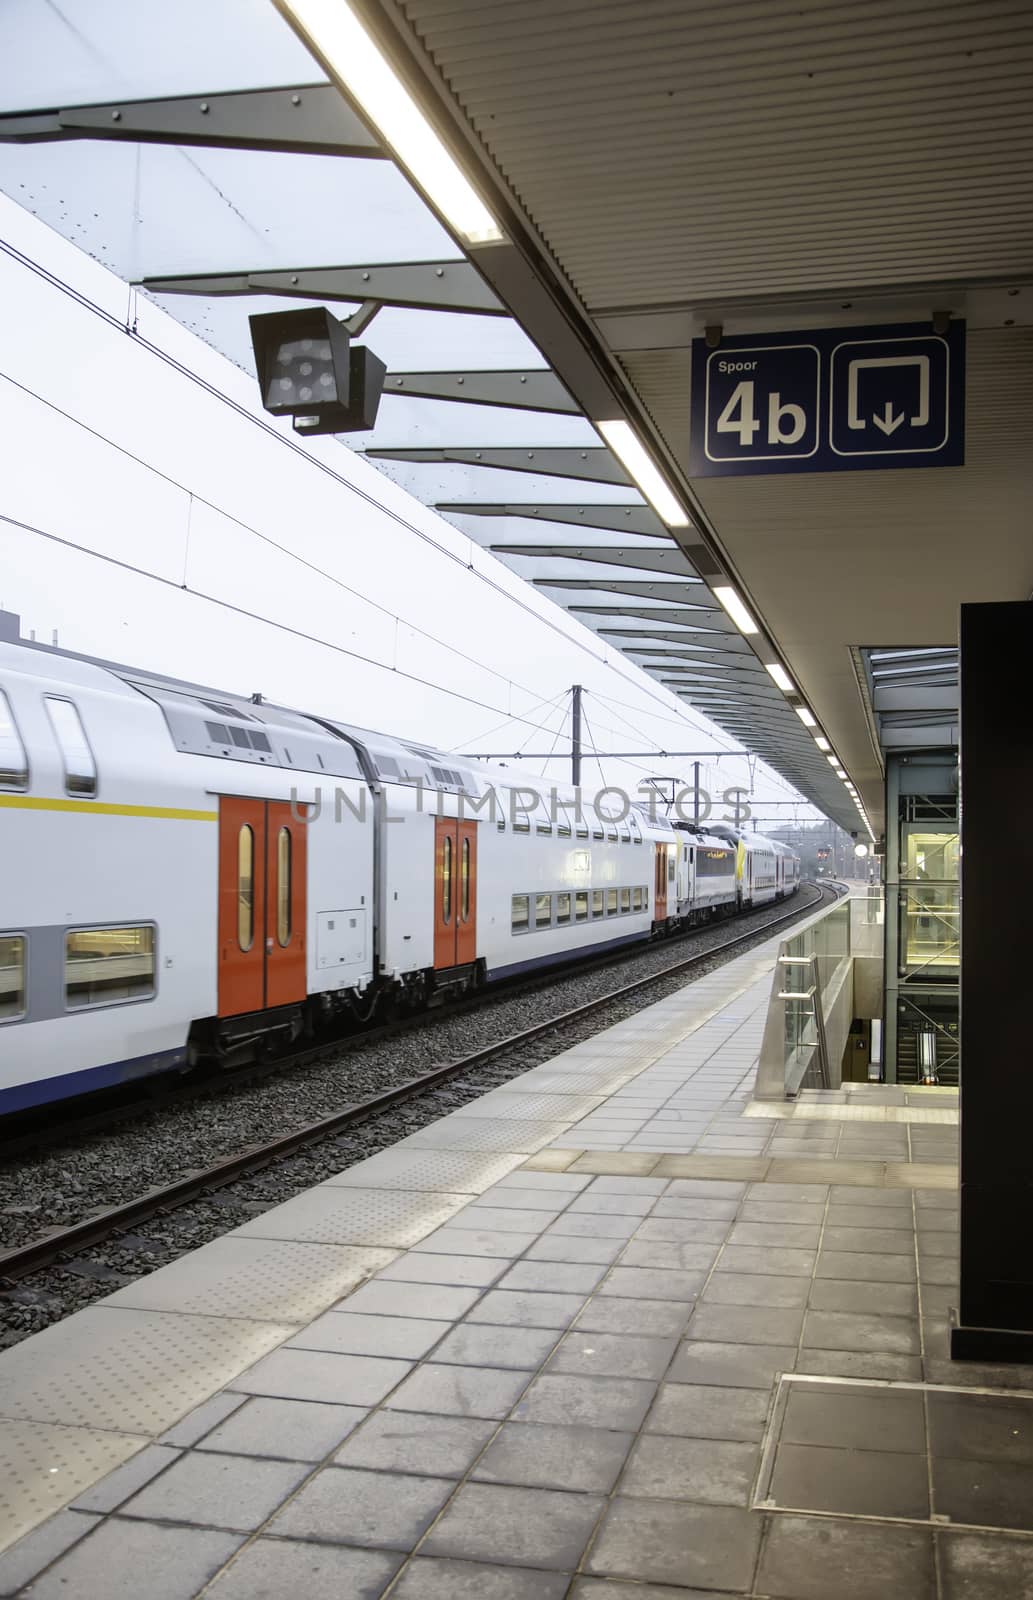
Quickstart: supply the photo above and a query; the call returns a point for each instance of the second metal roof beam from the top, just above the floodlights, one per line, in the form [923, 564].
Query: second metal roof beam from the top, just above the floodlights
[418, 286]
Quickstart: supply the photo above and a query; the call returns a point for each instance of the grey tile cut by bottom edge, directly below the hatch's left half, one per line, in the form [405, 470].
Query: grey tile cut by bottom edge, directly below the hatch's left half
[816, 1558]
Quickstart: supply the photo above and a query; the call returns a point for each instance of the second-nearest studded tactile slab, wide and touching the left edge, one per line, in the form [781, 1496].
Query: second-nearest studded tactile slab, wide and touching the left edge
[129, 1370]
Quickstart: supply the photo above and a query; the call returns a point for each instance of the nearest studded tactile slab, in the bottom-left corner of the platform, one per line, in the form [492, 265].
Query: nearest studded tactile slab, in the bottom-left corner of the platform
[44, 1466]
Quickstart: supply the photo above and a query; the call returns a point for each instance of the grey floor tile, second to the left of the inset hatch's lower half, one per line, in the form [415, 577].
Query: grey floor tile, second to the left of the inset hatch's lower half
[588, 1460]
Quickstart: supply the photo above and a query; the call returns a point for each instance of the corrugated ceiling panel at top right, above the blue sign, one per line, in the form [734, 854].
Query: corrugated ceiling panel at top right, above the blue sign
[804, 145]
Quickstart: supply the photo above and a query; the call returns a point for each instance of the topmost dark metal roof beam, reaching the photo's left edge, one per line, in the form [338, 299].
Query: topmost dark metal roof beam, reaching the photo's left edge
[311, 119]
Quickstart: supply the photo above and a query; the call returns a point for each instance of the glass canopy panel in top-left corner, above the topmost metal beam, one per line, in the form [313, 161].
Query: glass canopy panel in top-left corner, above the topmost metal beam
[58, 55]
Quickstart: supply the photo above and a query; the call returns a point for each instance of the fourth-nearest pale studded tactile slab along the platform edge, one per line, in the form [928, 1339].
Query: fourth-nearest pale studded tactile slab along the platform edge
[338, 1215]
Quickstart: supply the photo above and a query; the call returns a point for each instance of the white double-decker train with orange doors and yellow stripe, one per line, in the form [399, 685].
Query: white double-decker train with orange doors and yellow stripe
[197, 876]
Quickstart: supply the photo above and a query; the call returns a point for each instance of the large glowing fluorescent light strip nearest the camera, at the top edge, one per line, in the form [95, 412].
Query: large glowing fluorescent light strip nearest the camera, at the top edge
[372, 82]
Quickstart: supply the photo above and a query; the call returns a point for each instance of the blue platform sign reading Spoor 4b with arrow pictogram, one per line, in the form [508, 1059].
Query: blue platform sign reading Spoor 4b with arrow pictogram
[832, 401]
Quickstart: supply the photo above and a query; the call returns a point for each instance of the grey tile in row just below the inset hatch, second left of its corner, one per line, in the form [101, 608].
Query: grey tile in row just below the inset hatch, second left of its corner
[520, 1527]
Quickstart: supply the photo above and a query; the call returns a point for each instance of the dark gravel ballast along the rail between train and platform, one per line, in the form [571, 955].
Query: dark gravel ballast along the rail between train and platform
[63, 1185]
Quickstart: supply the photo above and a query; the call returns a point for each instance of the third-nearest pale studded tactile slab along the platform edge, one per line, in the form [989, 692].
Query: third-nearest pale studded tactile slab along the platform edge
[274, 1279]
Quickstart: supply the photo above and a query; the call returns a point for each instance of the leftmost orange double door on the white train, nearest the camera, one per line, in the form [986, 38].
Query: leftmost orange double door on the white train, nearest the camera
[263, 855]
